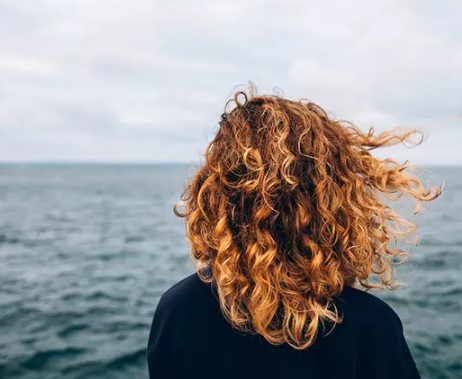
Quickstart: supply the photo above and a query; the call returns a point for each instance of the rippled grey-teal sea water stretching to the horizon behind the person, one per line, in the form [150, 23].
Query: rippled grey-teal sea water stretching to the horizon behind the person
[86, 251]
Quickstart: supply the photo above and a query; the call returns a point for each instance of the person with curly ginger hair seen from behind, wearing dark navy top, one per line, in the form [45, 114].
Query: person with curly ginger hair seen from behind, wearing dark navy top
[287, 221]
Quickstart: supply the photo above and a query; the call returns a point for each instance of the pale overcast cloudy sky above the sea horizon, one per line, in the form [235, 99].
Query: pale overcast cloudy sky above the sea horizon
[146, 81]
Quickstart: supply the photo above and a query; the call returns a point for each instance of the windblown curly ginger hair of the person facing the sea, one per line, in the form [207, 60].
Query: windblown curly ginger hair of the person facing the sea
[288, 208]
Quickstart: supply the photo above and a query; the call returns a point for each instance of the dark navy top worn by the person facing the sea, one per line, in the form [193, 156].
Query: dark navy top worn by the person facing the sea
[190, 338]
